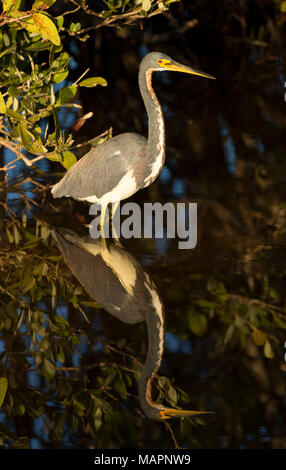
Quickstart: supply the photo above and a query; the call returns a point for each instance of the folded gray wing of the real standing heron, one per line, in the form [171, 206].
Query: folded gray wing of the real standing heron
[102, 168]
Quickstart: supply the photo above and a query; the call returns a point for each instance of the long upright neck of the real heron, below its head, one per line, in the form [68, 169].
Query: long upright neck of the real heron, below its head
[156, 126]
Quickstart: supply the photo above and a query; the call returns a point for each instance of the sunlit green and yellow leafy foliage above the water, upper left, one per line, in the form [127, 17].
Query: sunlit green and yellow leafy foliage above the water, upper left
[35, 68]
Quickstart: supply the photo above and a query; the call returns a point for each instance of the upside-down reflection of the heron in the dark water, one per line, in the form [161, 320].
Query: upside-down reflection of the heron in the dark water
[117, 281]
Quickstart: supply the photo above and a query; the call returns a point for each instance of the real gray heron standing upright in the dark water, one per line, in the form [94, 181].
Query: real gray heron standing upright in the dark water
[120, 166]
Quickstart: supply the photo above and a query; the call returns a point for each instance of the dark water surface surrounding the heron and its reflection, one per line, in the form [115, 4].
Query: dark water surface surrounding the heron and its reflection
[73, 369]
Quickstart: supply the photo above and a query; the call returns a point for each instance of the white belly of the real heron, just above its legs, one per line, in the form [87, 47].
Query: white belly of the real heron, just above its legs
[124, 189]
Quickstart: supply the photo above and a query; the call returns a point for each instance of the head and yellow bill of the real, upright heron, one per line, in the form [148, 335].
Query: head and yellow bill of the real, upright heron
[159, 62]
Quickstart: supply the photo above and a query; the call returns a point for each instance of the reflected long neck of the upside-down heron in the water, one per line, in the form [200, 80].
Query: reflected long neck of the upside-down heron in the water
[155, 327]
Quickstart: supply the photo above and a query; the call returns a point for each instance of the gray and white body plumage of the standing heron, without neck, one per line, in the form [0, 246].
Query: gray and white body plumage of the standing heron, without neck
[104, 171]
